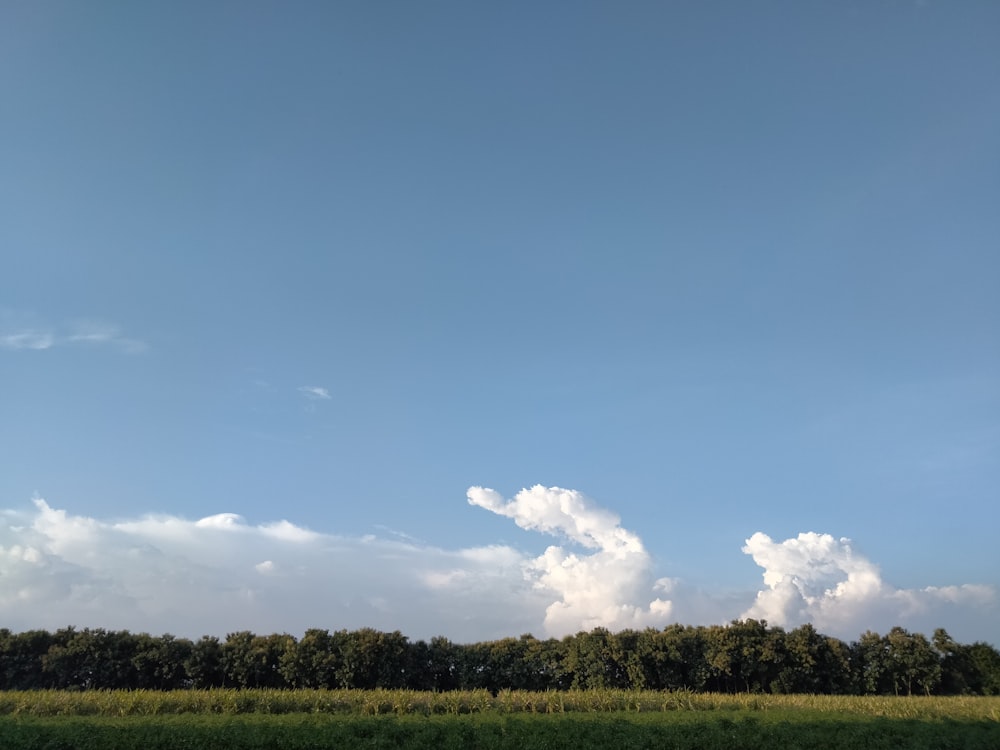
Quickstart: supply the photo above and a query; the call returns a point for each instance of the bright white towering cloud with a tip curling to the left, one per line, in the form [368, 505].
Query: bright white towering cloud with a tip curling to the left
[610, 587]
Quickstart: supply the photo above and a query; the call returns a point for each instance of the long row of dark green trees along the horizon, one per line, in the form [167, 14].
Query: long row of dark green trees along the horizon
[743, 656]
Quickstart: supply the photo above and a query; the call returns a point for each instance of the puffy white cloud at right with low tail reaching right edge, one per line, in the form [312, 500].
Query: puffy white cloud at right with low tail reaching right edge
[822, 580]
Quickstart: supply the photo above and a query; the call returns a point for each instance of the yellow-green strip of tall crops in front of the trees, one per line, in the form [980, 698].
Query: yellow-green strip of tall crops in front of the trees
[121, 703]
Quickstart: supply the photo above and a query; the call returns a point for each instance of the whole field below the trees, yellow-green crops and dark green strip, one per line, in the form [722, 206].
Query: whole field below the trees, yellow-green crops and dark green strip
[230, 719]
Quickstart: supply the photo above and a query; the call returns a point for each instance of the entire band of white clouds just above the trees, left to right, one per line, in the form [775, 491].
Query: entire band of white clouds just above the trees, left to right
[161, 573]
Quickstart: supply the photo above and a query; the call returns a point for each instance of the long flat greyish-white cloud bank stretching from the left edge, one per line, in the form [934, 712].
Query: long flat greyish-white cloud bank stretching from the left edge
[218, 574]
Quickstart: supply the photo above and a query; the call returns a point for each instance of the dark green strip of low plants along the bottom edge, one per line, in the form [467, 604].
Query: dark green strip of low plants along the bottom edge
[735, 730]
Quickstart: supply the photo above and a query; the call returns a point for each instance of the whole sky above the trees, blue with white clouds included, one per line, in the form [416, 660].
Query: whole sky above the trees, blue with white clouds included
[719, 268]
